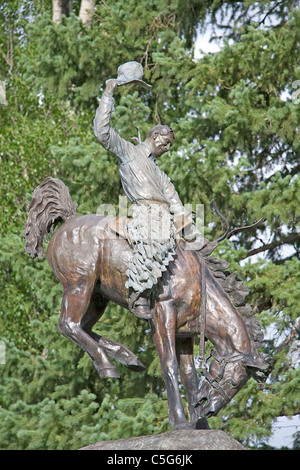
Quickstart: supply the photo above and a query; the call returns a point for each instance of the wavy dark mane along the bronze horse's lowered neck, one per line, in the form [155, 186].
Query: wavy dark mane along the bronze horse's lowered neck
[237, 292]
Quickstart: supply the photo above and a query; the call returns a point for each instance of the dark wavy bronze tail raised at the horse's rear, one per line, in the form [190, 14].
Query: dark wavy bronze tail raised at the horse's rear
[51, 203]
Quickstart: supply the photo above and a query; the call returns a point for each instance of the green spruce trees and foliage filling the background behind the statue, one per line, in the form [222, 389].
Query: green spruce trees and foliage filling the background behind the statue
[236, 124]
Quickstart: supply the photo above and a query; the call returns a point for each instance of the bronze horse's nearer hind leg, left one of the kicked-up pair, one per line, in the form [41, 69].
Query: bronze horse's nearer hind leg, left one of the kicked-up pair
[74, 305]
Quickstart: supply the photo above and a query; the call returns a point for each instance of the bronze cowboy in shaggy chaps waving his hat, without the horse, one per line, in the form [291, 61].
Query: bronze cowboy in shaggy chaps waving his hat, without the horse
[157, 212]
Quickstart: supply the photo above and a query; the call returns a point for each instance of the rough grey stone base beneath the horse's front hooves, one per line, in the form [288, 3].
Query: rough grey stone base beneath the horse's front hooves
[173, 440]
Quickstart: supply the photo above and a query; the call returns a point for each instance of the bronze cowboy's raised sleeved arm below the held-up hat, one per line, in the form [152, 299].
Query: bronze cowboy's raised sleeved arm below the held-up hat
[104, 133]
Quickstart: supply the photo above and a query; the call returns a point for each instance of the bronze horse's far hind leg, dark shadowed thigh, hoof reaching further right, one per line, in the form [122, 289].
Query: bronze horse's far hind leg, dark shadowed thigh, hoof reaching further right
[115, 350]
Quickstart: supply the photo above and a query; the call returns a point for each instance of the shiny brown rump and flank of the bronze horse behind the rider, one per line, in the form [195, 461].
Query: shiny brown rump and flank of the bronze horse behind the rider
[85, 250]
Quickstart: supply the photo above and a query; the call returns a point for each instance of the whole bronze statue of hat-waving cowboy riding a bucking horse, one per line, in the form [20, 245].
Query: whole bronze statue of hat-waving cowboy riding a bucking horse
[192, 293]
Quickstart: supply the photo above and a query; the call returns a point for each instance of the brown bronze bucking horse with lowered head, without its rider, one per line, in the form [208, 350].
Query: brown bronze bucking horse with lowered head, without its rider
[197, 295]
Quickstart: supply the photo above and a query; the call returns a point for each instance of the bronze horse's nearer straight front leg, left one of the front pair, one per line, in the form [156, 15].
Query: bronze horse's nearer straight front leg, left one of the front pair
[163, 329]
